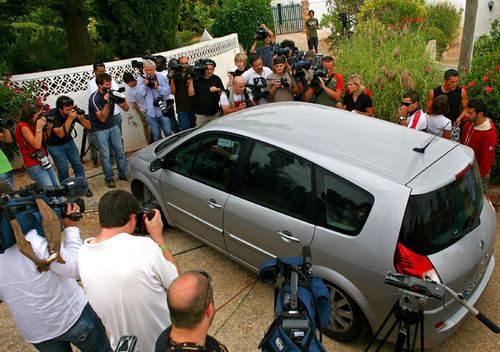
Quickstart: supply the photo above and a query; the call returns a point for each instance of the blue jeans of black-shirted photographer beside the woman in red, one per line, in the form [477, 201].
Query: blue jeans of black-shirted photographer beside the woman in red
[61, 154]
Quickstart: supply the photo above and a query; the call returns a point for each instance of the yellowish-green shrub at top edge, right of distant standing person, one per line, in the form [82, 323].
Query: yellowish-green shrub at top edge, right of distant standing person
[397, 14]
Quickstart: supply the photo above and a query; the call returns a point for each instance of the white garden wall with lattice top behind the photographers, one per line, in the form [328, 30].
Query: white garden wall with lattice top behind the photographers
[73, 82]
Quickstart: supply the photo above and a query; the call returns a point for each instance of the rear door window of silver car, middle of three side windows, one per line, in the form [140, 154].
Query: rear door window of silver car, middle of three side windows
[279, 180]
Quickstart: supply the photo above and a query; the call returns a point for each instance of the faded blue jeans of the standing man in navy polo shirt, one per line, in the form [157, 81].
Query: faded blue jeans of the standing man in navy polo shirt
[103, 139]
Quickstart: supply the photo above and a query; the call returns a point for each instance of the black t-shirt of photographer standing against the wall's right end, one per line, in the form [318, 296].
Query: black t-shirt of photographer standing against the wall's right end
[206, 102]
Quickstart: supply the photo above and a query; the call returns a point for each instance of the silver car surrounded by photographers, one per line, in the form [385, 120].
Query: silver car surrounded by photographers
[368, 196]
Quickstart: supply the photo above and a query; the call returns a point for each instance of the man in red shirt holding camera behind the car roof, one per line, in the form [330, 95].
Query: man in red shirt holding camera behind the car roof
[326, 90]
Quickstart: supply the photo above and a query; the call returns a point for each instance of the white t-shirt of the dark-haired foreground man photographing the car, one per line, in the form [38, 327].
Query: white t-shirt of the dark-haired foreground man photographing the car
[125, 278]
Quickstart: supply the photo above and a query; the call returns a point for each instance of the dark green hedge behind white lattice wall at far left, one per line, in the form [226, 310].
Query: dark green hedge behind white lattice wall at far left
[35, 48]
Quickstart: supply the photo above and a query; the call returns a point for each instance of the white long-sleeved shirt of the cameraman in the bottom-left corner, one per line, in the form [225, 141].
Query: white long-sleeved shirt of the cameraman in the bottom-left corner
[44, 305]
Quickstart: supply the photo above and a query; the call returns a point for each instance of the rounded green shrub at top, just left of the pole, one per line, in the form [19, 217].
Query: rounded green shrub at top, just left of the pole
[444, 16]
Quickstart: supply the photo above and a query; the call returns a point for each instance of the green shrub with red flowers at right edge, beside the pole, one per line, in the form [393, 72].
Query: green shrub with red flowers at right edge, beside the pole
[483, 80]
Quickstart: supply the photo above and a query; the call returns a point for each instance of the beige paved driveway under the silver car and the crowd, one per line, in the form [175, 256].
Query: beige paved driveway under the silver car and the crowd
[245, 305]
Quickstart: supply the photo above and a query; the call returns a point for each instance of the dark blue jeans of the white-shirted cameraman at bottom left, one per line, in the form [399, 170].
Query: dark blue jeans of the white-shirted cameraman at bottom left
[88, 334]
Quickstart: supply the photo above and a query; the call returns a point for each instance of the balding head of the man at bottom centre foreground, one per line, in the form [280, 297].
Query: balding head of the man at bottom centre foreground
[188, 298]
